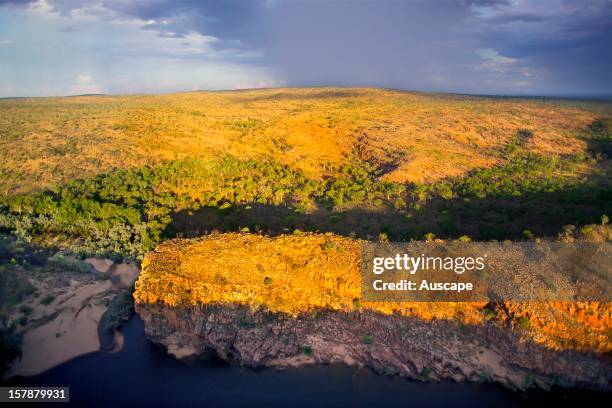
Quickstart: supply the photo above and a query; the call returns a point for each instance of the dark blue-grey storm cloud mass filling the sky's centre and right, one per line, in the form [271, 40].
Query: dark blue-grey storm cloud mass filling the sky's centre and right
[483, 46]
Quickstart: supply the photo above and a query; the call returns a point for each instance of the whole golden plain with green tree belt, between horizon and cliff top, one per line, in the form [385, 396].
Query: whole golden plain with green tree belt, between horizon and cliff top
[114, 176]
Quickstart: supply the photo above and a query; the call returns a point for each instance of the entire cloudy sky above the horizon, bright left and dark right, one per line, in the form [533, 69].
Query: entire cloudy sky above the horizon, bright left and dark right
[510, 47]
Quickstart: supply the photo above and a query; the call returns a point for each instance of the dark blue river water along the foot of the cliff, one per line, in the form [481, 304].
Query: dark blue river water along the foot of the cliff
[142, 374]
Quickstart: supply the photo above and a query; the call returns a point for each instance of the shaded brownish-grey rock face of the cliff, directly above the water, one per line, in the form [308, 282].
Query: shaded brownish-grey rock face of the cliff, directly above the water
[390, 344]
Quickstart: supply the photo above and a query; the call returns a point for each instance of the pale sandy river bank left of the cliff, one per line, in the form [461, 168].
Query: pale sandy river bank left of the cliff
[65, 314]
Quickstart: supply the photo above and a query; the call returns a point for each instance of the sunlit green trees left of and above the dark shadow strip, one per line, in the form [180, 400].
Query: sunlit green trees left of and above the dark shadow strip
[129, 211]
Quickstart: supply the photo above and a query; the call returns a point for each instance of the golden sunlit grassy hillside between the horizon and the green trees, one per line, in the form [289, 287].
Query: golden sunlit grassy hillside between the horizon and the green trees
[412, 137]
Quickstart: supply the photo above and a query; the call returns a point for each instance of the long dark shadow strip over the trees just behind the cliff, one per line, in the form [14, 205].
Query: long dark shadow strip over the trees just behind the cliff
[499, 217]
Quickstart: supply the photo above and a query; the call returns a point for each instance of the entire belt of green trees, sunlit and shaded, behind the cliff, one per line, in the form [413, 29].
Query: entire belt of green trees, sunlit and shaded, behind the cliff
[128, 212]
